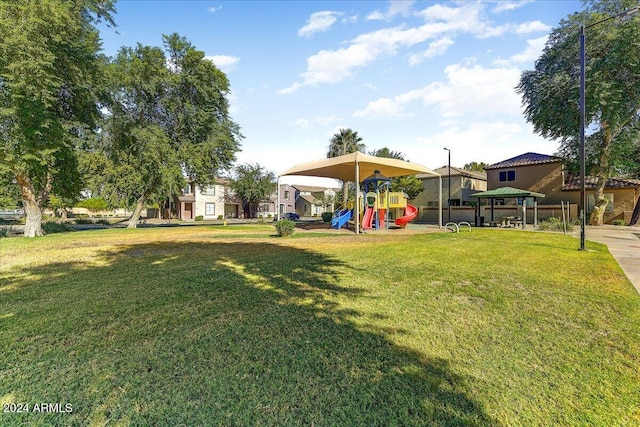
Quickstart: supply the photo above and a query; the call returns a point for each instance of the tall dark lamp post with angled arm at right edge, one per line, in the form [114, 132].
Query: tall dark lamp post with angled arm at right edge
[583, 195]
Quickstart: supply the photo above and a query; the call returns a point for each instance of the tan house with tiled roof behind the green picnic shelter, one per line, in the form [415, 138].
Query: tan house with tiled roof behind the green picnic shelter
[546, 174]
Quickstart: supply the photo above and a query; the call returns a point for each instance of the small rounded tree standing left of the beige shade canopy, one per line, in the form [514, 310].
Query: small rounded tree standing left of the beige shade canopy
[253, 184]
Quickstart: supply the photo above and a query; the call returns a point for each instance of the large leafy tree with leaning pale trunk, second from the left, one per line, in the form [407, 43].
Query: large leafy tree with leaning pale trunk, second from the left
[168, 119]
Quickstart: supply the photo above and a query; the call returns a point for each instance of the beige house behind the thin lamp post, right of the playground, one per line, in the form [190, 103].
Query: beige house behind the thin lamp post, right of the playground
[463, 184]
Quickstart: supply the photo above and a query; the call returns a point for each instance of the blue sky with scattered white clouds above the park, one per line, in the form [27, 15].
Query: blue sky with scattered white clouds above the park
[413, 76]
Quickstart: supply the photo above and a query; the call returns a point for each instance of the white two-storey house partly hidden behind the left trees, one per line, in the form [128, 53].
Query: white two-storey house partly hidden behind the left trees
[210, 202]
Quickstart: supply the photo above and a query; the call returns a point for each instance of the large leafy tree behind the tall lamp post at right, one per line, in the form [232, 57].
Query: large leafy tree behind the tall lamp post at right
[550, 92]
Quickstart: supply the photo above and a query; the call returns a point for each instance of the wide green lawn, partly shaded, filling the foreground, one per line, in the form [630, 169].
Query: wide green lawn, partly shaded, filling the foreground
[232, 326]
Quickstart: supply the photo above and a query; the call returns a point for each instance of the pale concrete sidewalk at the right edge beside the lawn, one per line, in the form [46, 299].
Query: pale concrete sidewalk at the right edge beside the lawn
[624, 245]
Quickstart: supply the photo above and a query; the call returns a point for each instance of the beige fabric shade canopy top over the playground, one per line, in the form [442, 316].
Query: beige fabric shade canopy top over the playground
[344, 167]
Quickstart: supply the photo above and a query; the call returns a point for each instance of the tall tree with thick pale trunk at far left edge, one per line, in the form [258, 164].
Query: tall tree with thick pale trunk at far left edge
[48, 72]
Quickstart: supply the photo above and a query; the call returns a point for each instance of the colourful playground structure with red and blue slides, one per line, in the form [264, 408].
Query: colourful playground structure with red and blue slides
[380, 204]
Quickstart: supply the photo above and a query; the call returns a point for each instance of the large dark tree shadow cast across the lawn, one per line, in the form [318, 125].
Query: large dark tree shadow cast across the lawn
[212, 334]
